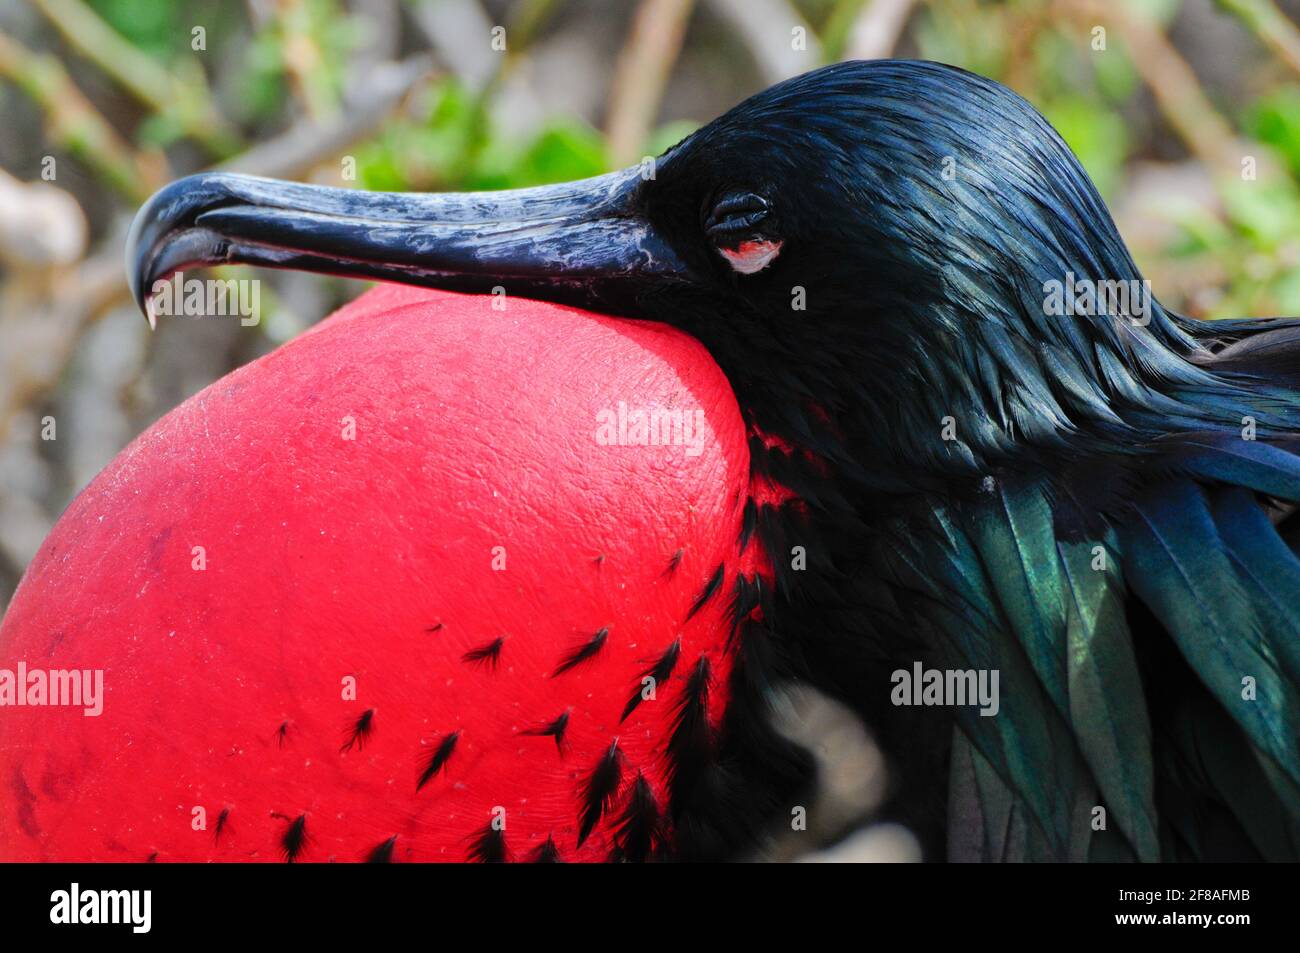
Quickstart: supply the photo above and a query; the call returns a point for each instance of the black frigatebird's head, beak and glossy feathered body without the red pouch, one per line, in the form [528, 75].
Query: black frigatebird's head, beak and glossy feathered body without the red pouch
[1097, 504]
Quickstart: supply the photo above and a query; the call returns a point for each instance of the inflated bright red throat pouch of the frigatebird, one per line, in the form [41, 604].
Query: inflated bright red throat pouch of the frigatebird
[330, 558]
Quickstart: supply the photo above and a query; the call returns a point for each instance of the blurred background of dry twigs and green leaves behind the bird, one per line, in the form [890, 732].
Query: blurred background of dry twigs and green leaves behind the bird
[1185, 112]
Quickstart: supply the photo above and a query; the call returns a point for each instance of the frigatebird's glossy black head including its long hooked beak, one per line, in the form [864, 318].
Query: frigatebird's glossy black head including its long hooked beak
[870, 244]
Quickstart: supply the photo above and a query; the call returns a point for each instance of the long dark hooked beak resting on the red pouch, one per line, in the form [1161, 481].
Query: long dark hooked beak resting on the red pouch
[582, 244]
